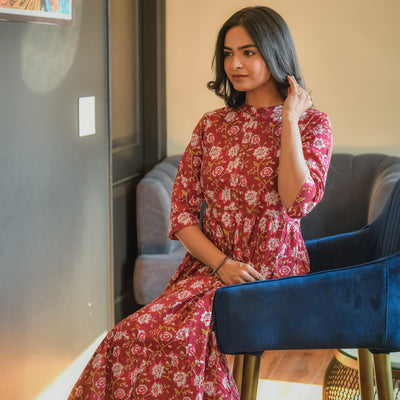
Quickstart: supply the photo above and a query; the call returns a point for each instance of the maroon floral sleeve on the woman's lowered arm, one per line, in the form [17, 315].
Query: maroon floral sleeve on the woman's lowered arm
[187, 195]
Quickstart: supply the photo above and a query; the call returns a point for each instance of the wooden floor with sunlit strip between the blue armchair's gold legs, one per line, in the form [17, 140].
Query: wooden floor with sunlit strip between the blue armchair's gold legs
[286, 372]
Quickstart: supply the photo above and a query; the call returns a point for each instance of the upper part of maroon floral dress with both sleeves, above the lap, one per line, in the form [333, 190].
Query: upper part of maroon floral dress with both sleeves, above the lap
[232, 162]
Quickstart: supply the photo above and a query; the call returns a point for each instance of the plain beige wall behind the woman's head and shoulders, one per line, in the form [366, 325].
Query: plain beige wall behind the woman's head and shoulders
[349, 52]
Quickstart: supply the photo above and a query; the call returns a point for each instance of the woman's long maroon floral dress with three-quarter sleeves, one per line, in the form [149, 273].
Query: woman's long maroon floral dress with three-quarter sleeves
[167, 350]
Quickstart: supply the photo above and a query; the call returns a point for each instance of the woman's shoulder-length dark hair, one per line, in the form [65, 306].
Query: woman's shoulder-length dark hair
[273, 40]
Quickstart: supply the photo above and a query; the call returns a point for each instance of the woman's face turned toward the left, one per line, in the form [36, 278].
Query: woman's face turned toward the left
[243, 63]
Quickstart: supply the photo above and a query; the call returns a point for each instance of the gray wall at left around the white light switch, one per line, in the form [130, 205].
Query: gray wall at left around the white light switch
[54, 198]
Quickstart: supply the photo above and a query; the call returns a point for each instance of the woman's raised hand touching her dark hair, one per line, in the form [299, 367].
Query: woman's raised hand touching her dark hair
[297, 100]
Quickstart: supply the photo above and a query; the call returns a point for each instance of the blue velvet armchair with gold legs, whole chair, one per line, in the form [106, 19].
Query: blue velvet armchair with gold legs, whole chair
[350, 299]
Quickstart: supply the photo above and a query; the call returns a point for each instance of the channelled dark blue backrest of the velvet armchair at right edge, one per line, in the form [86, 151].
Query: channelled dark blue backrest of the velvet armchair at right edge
[386, 228]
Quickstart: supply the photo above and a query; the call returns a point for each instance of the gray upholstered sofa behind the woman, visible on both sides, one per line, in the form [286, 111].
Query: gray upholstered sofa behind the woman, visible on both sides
[356, 190]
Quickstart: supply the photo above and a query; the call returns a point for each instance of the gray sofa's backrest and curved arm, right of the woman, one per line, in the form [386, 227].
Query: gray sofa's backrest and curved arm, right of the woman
[356, 190]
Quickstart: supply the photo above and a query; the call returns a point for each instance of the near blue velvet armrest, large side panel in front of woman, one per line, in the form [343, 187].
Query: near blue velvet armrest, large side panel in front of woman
[354, 307]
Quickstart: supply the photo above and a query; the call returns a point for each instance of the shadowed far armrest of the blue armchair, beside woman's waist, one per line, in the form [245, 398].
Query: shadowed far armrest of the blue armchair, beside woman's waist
[341, 250]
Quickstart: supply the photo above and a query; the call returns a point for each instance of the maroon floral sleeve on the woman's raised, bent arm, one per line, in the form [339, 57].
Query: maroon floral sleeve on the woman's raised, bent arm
[317, 150]
